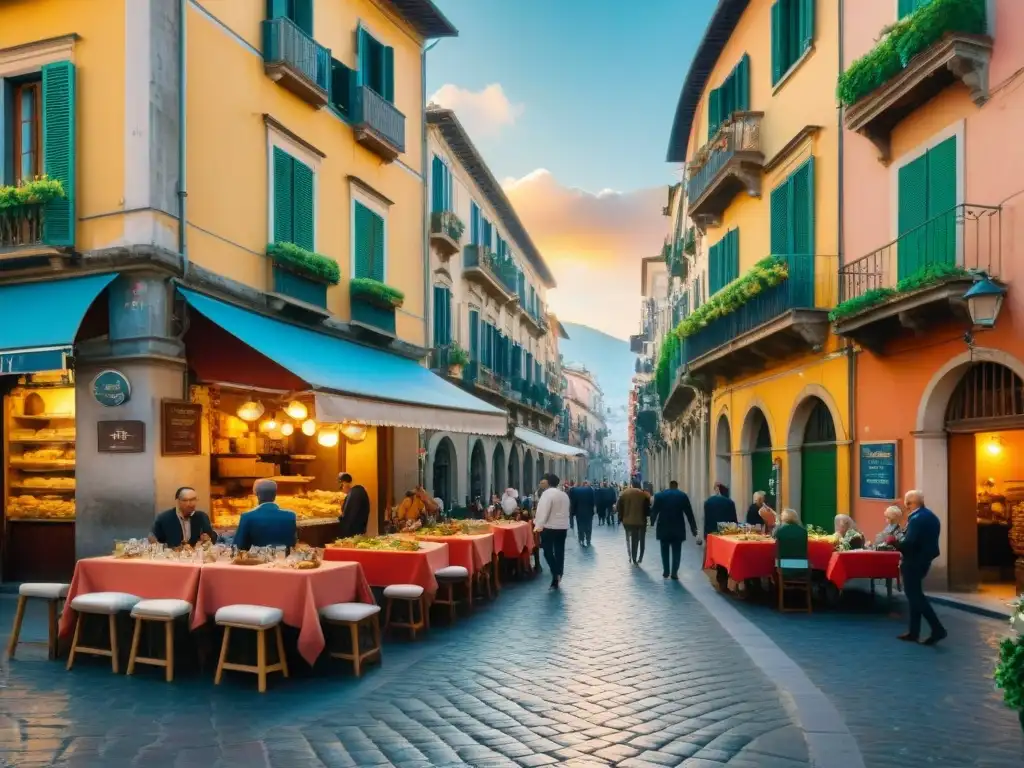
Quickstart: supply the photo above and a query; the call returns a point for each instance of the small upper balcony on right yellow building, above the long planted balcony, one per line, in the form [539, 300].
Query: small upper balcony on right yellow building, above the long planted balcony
[732, 162]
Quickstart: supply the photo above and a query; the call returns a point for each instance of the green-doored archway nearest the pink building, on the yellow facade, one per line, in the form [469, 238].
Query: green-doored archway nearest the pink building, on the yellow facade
[820, 472]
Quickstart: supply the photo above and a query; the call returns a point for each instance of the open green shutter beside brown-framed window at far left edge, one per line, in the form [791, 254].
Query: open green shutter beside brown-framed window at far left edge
[59, 150]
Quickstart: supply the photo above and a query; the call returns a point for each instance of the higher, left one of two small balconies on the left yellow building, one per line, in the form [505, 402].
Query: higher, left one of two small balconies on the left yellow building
[297, 62]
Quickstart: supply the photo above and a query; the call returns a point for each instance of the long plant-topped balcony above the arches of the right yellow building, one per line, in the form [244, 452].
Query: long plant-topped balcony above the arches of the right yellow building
[783, 321]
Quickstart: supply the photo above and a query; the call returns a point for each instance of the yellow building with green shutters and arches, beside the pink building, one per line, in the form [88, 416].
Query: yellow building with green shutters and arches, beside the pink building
[757, 130]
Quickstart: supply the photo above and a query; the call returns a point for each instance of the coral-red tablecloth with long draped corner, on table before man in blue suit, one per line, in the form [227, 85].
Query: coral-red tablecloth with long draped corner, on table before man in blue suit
[300, 593]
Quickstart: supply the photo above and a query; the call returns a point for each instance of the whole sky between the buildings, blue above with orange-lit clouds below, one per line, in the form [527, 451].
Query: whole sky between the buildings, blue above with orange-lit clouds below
[571, 103]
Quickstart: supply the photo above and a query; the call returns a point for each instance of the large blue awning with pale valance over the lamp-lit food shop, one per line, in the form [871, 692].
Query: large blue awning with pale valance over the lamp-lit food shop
[354, 382]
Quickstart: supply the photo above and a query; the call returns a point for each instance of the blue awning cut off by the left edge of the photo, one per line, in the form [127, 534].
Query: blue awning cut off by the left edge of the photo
[39, 322]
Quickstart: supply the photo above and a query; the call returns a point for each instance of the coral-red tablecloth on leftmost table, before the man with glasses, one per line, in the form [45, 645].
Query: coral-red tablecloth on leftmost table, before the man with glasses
[151, 580]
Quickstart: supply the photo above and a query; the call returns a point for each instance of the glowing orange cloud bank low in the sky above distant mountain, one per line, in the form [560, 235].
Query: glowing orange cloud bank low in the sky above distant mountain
[593, 244]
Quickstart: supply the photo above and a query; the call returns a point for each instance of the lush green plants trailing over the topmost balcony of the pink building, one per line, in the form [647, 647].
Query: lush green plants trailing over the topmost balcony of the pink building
[905, 40]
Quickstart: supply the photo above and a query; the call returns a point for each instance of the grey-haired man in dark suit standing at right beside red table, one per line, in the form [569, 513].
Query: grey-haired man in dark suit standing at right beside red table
[920, 547]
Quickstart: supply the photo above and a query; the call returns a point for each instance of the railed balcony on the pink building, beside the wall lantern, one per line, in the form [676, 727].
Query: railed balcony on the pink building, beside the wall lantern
[920, 279]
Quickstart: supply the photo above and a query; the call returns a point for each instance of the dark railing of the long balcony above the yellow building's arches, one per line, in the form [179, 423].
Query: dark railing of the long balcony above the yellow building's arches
[810, 285]
